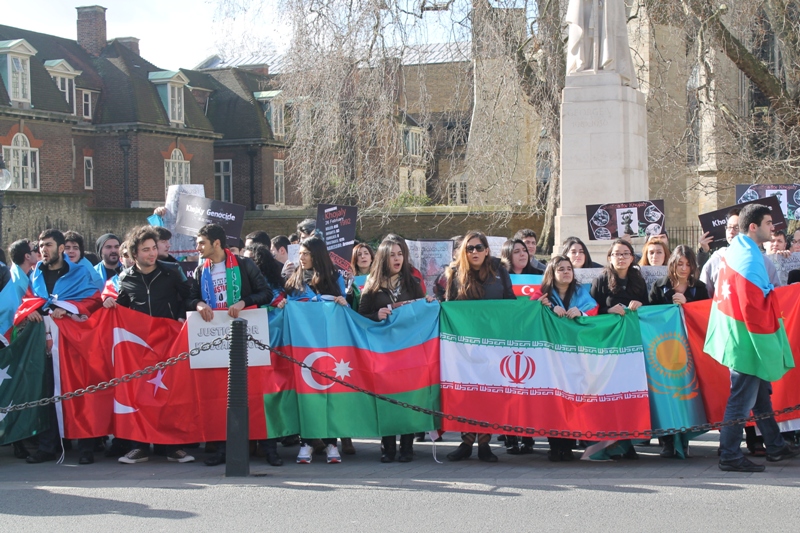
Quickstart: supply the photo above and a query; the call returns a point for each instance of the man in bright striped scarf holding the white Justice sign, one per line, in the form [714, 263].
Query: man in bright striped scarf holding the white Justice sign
[224, 282]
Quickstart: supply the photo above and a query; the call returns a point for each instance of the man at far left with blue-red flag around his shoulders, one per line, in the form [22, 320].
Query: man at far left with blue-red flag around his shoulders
[59, 288]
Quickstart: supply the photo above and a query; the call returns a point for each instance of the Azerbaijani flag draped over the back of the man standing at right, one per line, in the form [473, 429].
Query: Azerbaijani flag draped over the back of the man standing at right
[745, 327]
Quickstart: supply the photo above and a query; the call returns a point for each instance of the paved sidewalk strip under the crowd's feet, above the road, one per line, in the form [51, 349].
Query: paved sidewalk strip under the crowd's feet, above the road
[365, 467]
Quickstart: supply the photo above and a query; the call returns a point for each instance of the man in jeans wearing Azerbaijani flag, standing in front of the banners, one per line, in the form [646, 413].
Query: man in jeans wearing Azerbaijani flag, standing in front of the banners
[746, 334]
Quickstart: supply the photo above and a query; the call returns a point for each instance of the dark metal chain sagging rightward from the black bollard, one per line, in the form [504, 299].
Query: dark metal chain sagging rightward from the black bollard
[527, 431]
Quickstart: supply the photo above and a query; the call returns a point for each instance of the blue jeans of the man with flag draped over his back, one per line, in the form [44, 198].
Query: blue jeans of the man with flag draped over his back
[748, 393]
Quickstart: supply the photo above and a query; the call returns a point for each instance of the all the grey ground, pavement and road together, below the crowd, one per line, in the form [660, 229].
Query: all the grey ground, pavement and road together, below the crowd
[518, 493]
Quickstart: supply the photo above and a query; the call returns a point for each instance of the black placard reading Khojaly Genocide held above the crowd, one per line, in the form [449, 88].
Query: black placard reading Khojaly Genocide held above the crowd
[194, 212]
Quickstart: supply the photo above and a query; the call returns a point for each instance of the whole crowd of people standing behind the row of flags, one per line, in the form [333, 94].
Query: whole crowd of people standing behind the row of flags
[139, 273]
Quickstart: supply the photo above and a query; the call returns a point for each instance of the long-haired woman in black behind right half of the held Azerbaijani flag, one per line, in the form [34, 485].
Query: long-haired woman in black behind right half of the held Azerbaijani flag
[390, 283]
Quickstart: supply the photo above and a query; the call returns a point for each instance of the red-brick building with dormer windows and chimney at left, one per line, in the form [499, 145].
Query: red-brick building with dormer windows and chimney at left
[91, 119]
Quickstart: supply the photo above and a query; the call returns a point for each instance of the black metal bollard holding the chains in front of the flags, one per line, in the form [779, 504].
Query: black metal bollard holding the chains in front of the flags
[237, 462]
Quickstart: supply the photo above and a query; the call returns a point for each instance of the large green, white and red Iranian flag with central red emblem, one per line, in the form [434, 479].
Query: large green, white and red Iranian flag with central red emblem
[517, 363]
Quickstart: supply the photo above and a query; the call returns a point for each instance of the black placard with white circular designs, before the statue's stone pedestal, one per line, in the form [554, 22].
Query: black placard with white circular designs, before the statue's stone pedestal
[637, 219]
